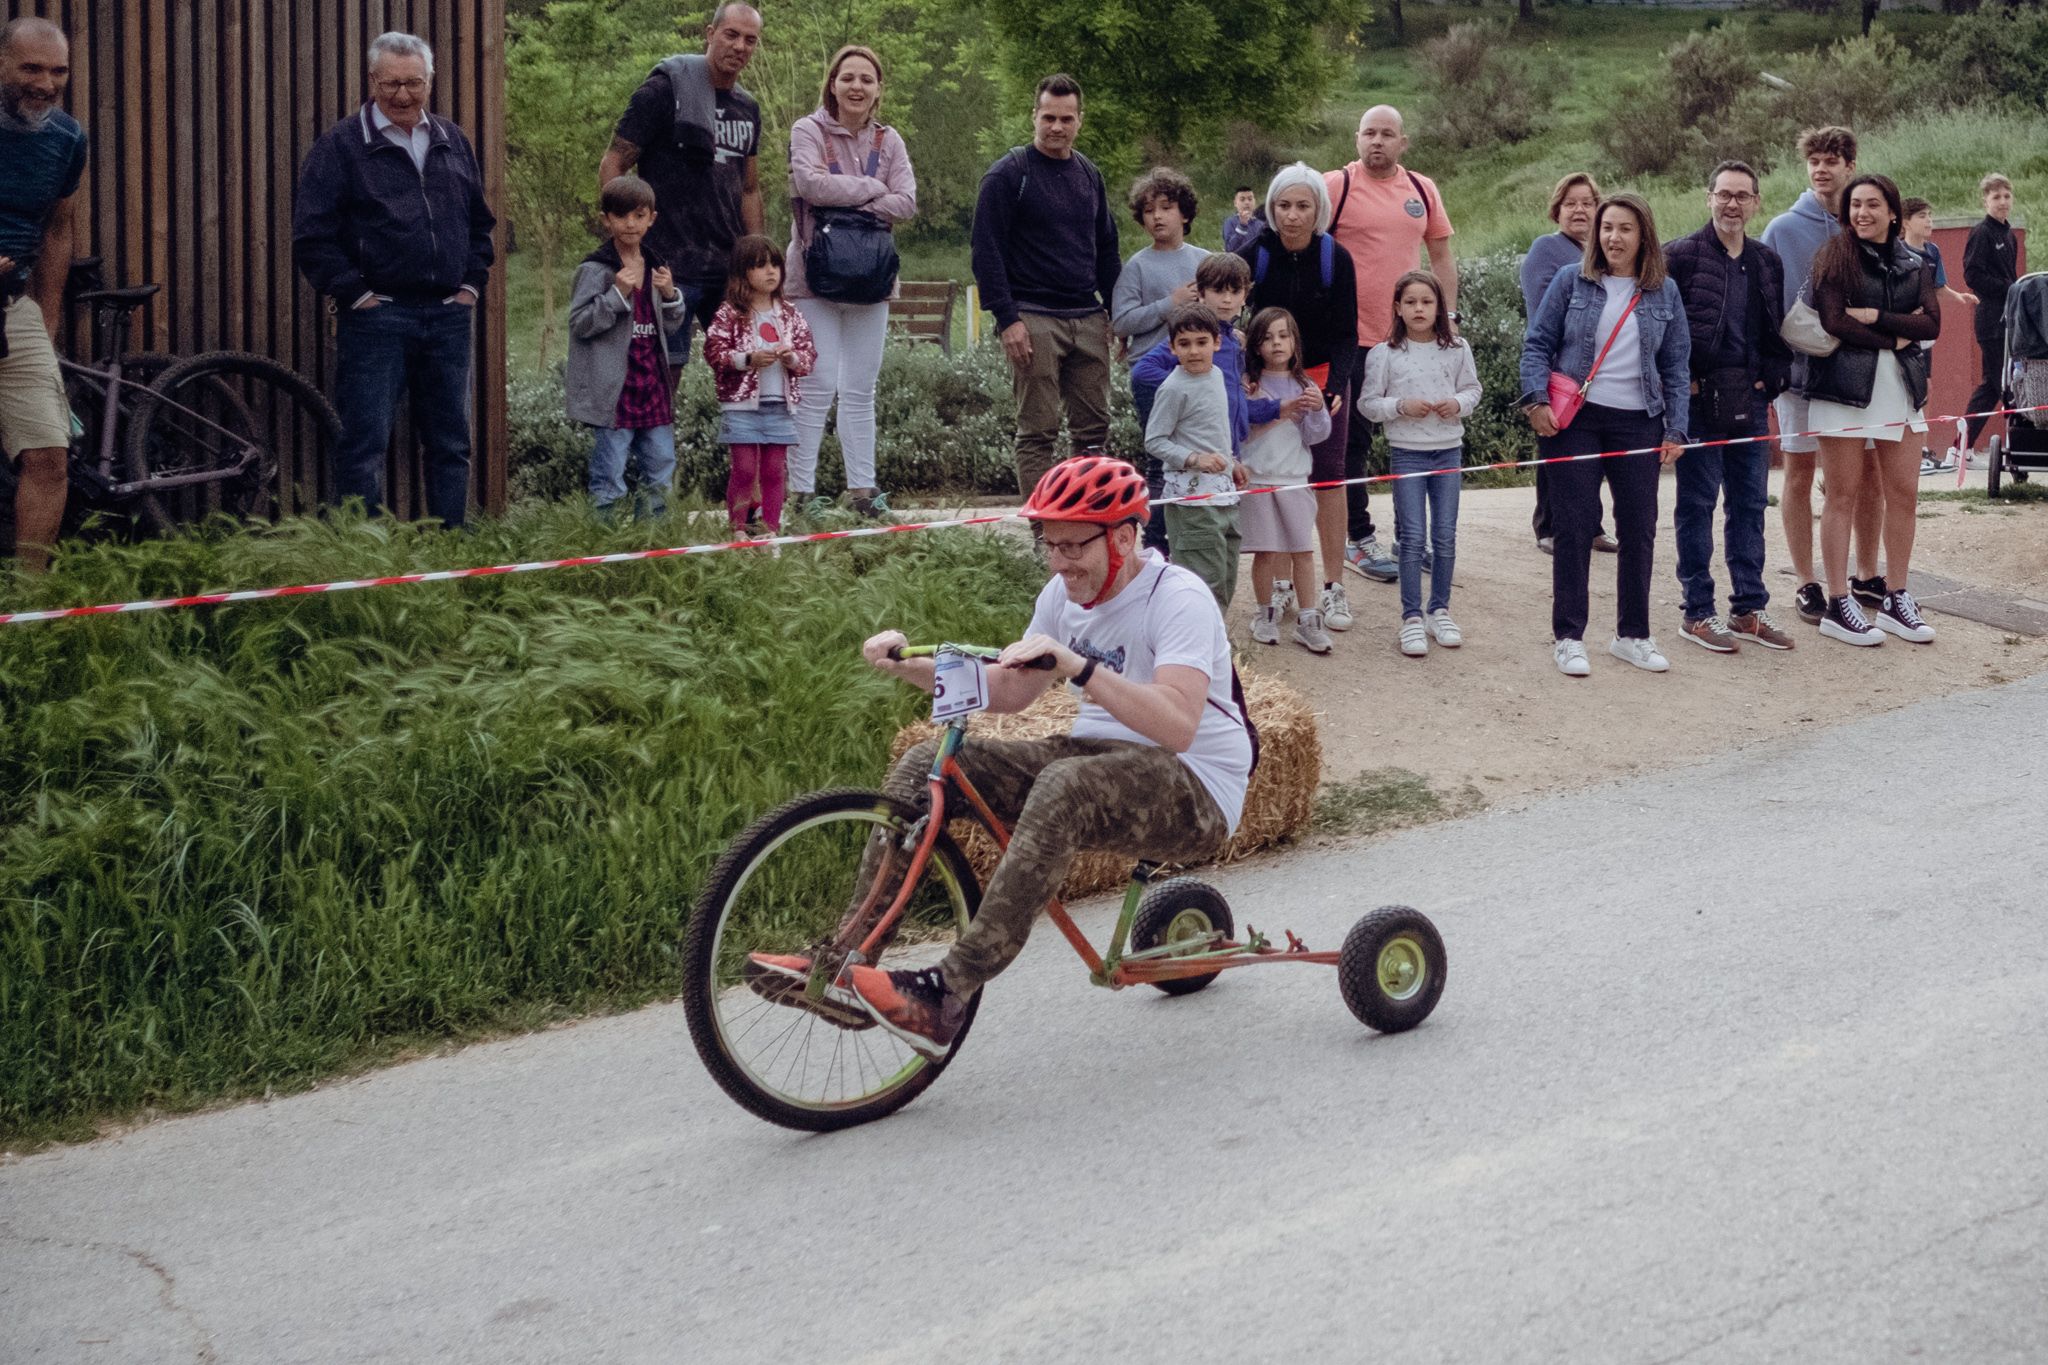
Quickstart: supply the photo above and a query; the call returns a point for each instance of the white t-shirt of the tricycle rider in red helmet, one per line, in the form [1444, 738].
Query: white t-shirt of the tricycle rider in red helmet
[1166, 615]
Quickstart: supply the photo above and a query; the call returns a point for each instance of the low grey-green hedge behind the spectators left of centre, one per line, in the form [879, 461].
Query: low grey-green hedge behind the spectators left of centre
[945, 425]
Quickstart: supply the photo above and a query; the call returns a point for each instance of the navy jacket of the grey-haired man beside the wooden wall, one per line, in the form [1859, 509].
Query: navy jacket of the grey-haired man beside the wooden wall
[368, 222]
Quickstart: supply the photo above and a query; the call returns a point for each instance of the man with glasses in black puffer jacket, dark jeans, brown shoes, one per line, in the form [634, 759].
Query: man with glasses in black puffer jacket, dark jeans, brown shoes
[1734, 292]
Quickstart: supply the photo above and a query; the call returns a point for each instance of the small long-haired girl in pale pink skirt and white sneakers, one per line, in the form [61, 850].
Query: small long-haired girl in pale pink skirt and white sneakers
[1279, 527]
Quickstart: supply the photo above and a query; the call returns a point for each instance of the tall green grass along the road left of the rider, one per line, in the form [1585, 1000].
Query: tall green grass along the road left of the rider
[247, 846]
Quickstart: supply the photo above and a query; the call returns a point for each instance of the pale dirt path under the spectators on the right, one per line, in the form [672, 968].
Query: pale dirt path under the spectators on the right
[1496, 719]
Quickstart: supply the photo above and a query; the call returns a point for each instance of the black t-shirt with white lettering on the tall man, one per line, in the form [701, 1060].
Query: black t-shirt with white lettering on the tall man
[697, 197]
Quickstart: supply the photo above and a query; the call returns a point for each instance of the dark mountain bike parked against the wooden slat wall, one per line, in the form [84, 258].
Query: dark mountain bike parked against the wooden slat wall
[171, 439]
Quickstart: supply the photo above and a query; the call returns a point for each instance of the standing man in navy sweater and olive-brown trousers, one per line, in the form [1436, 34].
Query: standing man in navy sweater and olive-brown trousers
[1046, 259]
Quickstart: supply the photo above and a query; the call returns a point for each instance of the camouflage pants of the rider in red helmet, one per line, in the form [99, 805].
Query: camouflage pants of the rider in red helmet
[1062, 797]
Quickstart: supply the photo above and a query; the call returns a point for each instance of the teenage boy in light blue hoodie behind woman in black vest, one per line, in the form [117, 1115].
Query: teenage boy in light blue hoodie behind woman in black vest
[1797, 236]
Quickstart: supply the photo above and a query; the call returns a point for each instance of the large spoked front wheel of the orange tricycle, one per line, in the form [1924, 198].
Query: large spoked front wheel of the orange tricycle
[804, 887]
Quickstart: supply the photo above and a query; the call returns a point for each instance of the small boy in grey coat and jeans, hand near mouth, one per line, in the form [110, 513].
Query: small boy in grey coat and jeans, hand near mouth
[620, 382]
